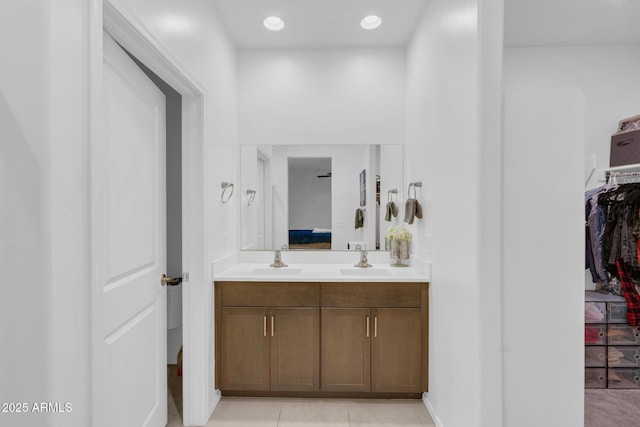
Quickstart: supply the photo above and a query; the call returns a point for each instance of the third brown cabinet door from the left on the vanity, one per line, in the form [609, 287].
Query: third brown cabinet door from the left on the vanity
[346, 349]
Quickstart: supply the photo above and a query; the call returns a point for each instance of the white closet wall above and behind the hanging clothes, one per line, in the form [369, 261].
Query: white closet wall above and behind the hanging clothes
[608, 78]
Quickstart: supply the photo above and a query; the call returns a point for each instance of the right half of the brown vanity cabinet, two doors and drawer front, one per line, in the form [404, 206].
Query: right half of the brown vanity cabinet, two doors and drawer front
[373, 337]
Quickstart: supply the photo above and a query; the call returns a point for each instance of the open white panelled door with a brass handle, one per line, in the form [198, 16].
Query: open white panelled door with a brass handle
[128, 180]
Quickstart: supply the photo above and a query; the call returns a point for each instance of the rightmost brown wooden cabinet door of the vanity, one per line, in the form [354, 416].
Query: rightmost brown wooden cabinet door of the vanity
[396, 350]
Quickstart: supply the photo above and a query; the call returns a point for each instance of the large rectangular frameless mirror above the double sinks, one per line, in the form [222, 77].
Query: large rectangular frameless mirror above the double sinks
[319, 196]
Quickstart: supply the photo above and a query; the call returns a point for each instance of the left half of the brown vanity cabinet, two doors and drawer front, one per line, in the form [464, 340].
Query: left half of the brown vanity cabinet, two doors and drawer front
[268, 337]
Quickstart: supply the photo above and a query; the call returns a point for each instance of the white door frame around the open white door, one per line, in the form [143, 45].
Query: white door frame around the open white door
[199, 397]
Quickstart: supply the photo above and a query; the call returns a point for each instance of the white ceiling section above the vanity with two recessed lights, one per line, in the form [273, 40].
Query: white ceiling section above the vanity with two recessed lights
[319, 23]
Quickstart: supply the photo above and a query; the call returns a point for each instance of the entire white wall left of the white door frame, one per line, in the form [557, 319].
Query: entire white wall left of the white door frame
[43, 186]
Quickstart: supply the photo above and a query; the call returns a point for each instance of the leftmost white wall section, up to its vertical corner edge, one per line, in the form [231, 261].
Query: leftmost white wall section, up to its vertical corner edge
[25, 215]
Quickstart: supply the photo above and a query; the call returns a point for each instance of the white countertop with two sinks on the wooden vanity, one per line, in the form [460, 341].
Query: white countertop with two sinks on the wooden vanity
[320, 273]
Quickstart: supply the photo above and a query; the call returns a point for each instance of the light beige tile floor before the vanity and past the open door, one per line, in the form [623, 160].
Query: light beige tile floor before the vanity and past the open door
[285, 412]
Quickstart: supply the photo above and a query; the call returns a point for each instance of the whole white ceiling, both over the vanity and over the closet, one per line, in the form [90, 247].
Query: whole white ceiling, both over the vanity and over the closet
[335, 23]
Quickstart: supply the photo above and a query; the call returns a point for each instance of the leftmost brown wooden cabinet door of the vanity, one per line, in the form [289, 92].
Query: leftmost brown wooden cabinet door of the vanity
[244, 352]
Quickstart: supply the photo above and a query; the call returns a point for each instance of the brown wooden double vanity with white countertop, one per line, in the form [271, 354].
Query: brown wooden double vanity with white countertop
[357, 334]
